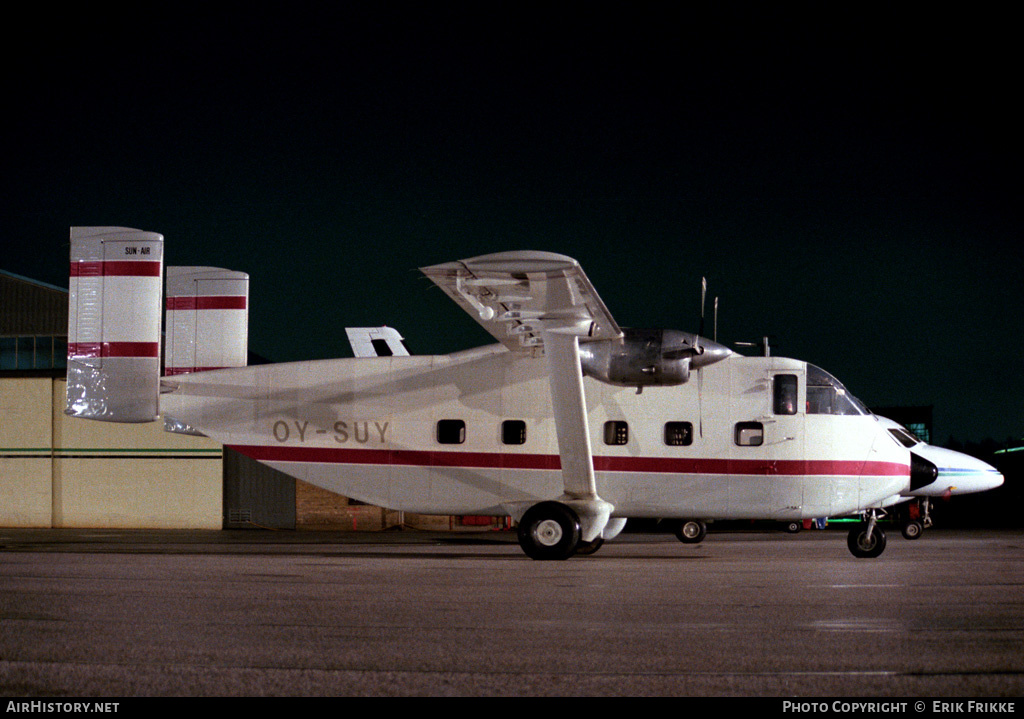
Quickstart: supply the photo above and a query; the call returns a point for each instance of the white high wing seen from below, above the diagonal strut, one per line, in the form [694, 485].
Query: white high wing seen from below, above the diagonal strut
[517, 297]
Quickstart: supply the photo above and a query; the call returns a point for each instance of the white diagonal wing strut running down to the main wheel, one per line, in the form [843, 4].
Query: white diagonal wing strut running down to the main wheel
[569, 402]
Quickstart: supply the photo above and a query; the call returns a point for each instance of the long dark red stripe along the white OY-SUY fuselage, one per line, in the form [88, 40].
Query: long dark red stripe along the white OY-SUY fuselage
[493, 460]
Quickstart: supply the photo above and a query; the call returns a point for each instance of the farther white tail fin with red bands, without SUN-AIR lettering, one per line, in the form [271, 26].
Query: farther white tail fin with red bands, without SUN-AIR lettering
[207, 320]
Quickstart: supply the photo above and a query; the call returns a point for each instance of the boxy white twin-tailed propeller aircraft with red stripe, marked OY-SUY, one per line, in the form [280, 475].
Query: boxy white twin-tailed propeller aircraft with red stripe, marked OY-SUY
[570, 425]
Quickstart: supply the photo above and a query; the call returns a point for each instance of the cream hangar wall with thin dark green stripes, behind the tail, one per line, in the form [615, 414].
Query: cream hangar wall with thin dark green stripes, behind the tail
[62, 473]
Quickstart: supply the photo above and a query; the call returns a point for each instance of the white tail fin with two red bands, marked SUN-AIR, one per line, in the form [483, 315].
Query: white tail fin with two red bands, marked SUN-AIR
[114, 324]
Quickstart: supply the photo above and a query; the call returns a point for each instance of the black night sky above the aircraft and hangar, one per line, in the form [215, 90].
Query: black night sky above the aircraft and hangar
[847, 180]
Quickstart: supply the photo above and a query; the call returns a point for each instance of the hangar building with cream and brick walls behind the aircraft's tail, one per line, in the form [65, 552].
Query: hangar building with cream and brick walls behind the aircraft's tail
[59, 472]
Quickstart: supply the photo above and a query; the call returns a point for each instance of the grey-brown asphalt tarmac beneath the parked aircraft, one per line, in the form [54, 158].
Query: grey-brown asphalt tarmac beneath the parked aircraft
[407, 614]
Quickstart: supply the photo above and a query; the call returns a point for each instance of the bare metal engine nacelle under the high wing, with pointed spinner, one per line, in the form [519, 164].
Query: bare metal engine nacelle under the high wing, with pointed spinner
[649, 358]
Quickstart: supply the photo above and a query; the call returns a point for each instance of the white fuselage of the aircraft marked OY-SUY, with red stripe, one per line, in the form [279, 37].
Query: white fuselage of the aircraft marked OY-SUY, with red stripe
[387, 432]
